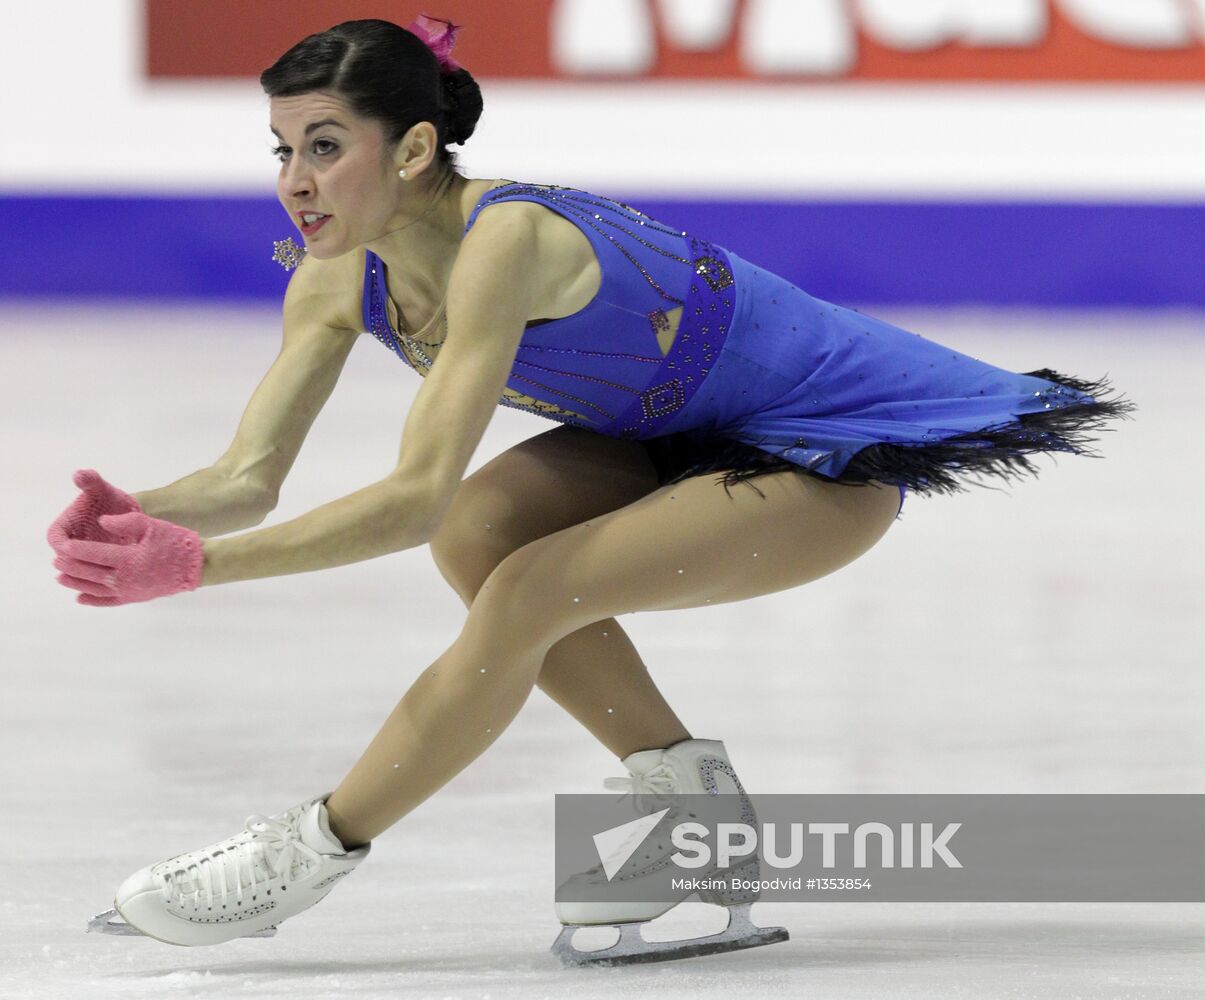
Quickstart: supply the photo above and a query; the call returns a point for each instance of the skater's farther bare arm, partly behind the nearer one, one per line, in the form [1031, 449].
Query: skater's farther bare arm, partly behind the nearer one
[243, 486]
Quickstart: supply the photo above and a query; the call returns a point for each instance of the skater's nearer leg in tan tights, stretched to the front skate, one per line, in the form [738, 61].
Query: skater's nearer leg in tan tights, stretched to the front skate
[702, 548]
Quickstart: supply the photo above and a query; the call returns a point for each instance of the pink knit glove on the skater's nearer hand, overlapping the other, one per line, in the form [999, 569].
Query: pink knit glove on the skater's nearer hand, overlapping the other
[151, 560]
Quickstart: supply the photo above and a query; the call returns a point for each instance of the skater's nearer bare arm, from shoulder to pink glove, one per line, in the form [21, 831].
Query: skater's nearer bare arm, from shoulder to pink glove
[490, 301]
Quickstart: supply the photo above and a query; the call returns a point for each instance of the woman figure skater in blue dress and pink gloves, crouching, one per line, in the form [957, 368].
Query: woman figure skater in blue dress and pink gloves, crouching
[722, 436]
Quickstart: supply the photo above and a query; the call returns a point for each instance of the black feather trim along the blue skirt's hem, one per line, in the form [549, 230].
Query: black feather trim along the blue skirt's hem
[947, 467]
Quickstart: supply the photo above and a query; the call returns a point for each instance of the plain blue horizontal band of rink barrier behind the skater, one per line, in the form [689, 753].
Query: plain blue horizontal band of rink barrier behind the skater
[1002, 254]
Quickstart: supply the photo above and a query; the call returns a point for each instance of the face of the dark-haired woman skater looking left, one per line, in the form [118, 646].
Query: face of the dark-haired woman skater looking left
[337, 183]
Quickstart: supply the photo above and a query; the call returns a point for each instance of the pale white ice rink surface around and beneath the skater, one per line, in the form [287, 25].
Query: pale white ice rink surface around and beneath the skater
[1043, 639]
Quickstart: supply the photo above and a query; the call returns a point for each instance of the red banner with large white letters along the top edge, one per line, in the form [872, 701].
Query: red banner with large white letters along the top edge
[792, 40]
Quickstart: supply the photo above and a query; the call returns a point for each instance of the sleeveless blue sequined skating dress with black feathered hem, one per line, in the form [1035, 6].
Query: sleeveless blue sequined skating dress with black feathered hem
[760, 377]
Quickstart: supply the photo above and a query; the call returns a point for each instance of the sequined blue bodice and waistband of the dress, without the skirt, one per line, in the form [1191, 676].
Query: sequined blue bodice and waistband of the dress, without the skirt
[613, 367]
